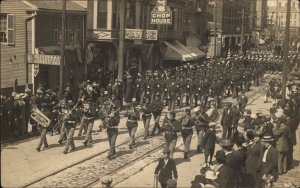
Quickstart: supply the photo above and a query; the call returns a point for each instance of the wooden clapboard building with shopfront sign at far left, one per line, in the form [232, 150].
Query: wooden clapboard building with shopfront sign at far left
[30, 46]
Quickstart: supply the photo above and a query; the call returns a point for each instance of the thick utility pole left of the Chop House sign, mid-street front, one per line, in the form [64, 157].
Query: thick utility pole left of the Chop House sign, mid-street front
[121, 39]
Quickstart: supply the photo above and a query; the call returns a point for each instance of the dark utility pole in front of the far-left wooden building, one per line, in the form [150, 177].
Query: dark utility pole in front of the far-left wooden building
[62, 50]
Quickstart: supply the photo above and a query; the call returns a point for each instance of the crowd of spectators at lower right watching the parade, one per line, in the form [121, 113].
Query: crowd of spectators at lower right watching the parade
[255, 156]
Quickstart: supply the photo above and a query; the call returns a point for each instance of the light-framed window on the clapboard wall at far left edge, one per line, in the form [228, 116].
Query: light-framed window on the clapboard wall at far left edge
[7, 29]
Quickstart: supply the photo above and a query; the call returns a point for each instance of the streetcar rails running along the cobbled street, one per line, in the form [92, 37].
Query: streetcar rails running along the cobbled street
[119, 145]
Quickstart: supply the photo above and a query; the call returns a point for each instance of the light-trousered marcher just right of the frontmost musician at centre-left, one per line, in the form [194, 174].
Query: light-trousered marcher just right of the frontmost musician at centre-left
[132, 124]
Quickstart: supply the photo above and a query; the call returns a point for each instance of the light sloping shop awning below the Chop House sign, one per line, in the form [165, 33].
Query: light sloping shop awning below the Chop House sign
[177, 51]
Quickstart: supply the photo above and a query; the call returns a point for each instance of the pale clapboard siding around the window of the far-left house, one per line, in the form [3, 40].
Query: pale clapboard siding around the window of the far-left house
[15, 70]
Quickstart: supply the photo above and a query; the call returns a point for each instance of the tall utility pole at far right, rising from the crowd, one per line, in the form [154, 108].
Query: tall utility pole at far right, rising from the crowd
[286, 49]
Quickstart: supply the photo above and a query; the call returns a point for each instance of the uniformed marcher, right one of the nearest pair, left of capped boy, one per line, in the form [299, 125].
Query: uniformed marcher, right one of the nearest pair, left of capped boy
[187, 123]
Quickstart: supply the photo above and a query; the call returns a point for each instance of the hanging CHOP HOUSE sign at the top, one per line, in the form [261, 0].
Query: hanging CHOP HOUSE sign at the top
[161, 14]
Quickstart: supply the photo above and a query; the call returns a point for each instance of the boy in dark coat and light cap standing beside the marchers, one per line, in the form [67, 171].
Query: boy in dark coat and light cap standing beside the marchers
[208, 143]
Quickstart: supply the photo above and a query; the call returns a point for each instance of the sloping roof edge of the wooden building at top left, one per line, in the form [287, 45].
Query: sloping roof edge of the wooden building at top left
[54, 5]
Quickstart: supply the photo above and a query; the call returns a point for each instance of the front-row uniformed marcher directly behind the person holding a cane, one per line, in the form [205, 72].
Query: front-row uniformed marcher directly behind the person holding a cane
[171, 128]
